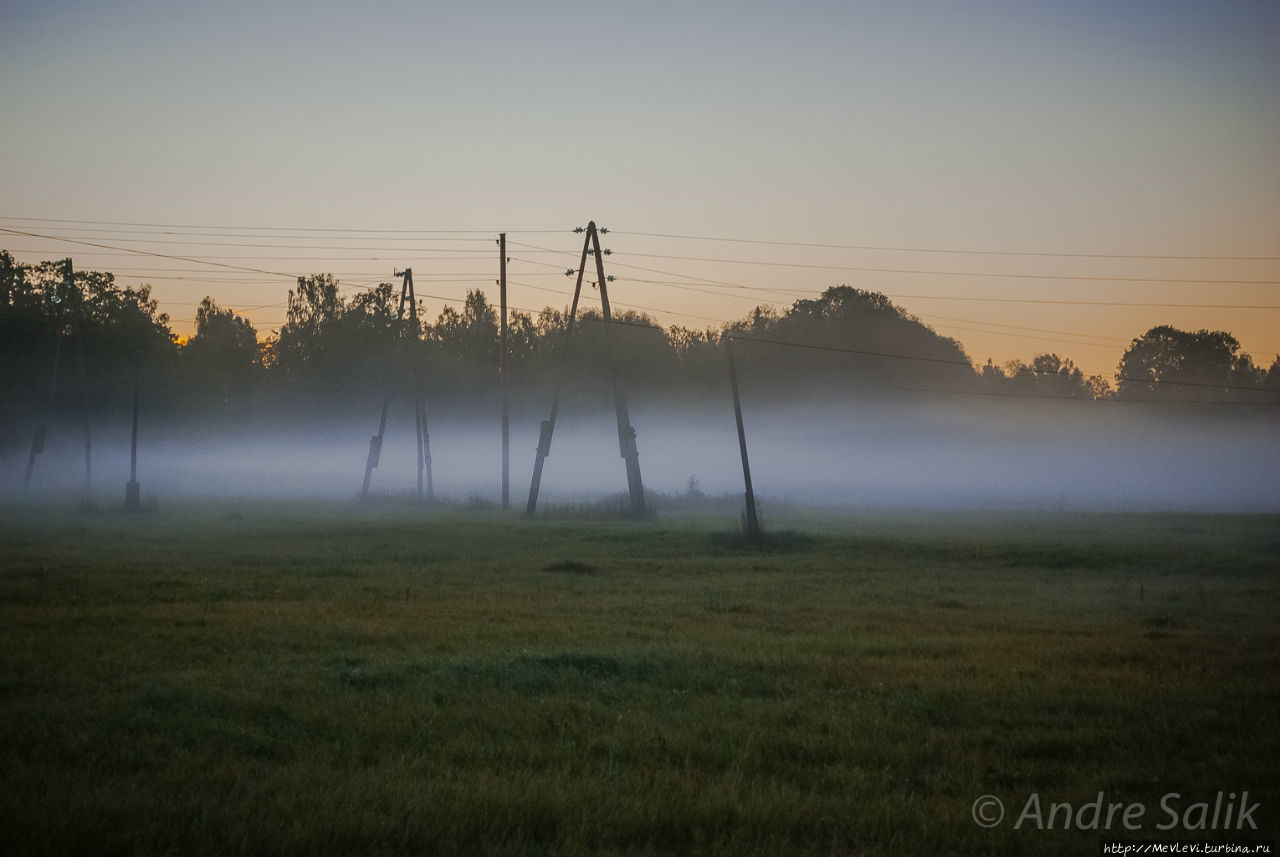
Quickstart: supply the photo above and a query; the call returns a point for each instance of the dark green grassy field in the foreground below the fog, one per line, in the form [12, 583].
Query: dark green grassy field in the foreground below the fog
[386, 680]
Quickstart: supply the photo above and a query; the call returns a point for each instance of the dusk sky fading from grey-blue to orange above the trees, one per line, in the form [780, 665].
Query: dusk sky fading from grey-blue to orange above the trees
[359, 140]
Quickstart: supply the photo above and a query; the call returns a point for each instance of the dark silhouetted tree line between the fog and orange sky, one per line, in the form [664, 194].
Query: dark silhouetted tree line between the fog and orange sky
[345, 347]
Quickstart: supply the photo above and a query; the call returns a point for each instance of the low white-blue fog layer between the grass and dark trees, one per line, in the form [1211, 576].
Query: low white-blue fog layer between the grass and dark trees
[909, 453]
